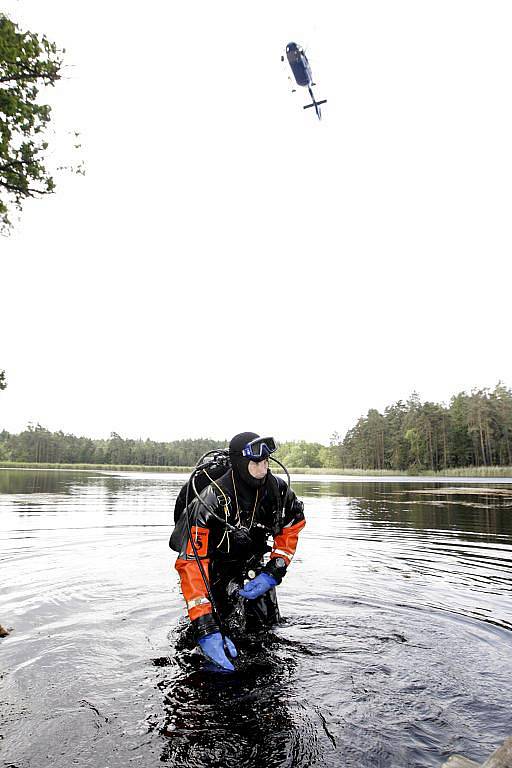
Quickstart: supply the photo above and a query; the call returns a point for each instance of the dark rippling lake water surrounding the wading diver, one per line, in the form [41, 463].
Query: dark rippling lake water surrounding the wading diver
[396, 649]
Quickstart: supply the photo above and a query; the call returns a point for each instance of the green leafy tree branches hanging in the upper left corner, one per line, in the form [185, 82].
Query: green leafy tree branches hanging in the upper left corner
[28, 61]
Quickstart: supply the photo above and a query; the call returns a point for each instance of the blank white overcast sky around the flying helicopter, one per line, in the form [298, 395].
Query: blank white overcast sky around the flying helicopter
[230, 263]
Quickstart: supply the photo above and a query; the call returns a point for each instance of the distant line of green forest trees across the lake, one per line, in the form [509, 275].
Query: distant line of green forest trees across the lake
[473, 430]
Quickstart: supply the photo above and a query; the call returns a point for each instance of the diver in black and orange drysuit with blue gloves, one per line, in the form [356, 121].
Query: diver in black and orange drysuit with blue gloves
[228, 569]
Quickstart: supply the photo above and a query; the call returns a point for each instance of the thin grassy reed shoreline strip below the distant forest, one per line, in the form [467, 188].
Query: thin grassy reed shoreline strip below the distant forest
[478, 472]
